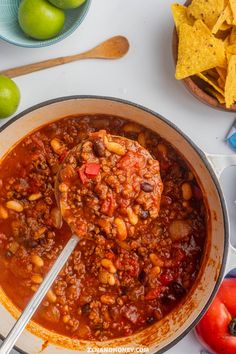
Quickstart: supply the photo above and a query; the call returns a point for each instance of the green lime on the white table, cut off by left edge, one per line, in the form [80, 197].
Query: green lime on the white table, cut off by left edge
[9, 97]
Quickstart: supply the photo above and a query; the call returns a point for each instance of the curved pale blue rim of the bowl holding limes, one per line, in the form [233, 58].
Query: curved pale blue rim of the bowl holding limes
[47, 43]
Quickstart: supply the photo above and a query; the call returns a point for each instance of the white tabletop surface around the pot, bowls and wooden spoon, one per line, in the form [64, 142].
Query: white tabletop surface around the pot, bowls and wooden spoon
[145, 76]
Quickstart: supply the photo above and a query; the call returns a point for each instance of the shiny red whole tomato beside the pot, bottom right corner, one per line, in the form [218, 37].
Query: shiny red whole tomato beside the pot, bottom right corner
[217, 329]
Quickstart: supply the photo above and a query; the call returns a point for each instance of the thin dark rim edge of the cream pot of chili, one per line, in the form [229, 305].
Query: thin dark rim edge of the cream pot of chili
[203, 158]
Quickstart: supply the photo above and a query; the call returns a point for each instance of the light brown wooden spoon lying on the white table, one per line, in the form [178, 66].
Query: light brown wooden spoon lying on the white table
[113, 48]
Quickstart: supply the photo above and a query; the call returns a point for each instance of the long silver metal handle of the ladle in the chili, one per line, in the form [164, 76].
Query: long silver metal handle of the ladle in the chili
[32, 306]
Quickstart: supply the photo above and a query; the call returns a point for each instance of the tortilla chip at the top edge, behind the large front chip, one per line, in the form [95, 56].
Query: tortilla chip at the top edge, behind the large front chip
[207, 11]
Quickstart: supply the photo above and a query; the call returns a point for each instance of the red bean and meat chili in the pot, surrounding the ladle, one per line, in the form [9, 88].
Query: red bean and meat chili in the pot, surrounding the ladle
[111, 286]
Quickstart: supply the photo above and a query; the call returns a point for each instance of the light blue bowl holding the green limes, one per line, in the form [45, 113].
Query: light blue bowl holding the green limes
[11, 32]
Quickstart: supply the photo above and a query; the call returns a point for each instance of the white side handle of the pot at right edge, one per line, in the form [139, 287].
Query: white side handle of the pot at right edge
[219, 163]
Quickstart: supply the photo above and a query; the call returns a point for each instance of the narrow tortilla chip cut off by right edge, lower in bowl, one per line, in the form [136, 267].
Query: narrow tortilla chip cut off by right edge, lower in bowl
[230, 85]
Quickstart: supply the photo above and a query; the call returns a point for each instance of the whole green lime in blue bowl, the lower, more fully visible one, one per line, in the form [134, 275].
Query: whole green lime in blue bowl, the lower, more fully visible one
[40, 19]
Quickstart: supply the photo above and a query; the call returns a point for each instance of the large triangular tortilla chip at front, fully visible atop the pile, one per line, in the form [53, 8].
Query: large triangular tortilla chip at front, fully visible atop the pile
[198, 50]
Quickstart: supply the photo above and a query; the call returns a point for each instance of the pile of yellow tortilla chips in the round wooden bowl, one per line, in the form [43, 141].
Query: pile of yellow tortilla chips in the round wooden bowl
[207, 45]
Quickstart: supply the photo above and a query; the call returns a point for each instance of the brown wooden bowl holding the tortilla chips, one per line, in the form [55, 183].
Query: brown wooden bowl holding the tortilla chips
[196, 86]
